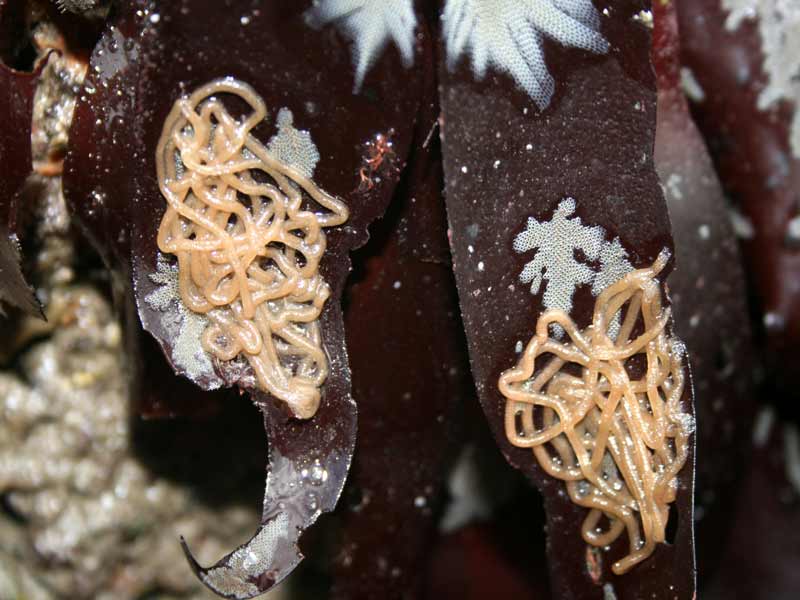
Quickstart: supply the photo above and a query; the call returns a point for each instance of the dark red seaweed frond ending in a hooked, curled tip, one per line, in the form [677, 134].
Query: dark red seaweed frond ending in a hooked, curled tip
[137, 87]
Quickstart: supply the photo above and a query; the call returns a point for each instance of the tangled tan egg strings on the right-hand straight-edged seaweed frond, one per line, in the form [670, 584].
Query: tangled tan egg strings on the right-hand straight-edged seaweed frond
[603, 412]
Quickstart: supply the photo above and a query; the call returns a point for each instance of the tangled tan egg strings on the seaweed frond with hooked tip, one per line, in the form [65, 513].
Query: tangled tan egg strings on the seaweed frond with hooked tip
[240, 222]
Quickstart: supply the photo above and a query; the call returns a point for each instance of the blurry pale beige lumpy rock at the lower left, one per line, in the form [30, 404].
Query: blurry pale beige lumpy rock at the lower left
[94, 520]
